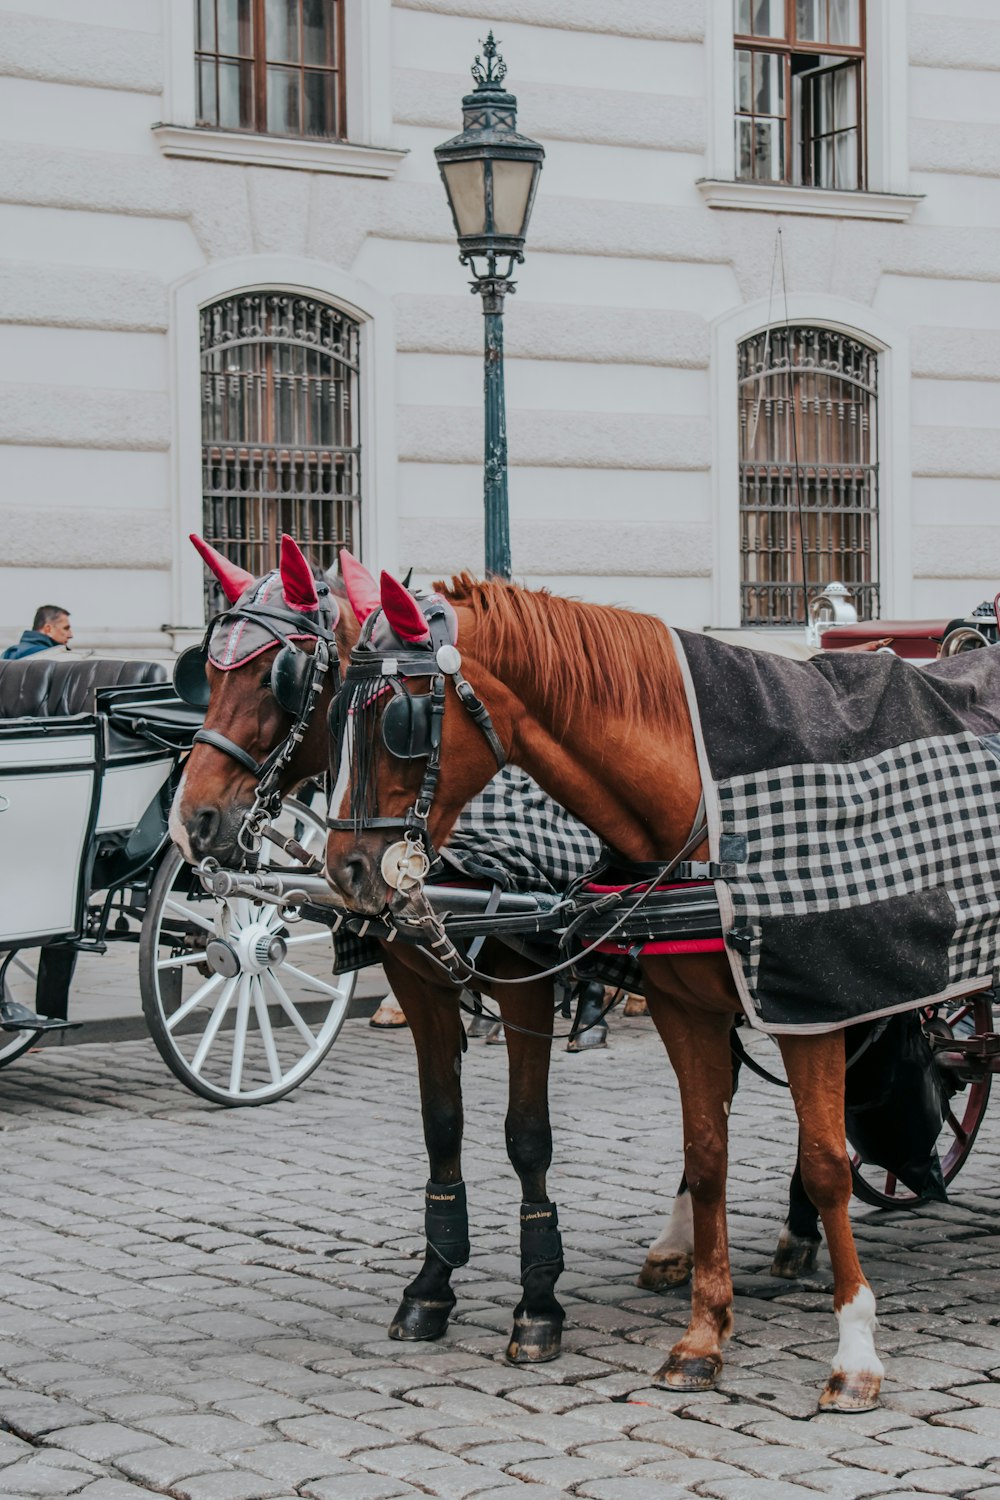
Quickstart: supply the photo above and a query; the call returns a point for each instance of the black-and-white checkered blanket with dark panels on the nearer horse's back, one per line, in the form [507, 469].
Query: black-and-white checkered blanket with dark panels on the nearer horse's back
[854, 805]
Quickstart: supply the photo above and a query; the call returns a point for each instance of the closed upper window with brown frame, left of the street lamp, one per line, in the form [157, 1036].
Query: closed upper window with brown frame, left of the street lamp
[275, 67]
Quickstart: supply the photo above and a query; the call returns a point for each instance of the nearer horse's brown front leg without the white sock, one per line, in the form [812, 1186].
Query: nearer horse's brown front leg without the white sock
[698, 1045]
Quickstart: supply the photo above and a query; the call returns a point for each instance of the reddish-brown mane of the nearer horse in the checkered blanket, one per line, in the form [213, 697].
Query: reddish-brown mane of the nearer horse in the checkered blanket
[615, 661]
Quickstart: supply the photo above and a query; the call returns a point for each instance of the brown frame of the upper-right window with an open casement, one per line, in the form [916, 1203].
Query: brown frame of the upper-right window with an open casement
[789, 47]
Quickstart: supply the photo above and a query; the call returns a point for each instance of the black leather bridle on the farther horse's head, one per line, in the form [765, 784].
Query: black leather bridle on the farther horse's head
[296, 680]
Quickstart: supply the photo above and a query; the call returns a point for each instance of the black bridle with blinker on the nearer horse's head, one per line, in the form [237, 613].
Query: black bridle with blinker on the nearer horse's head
[412, 731]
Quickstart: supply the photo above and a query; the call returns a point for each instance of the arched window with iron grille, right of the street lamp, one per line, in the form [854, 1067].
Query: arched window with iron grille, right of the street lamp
[809, 472]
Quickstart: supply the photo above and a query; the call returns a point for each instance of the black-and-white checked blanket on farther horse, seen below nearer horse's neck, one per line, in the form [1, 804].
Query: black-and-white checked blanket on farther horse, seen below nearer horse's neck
[512, 835]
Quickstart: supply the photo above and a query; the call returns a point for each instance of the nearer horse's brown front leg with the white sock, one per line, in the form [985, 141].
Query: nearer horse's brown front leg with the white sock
[815, 1067]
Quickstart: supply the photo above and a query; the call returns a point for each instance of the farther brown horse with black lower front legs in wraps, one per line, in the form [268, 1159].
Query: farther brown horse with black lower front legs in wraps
[212, 802]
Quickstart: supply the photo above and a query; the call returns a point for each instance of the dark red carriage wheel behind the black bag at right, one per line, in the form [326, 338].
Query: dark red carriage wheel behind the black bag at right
[965, 1111]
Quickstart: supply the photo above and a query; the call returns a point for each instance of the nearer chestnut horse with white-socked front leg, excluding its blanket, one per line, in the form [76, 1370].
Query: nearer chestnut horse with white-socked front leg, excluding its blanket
[590, 701]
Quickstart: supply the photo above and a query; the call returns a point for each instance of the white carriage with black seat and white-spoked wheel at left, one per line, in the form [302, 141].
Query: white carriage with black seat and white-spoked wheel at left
[91, 755]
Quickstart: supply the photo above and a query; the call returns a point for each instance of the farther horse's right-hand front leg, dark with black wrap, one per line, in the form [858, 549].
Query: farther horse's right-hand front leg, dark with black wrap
[537, 1333]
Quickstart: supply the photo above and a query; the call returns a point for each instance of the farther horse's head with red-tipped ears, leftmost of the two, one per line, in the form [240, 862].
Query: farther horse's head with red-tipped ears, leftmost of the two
[256, 676]
